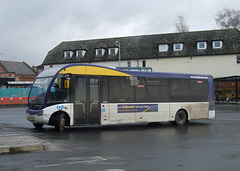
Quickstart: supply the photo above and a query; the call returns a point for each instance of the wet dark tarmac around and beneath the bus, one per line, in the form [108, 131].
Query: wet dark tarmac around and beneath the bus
[200, 145]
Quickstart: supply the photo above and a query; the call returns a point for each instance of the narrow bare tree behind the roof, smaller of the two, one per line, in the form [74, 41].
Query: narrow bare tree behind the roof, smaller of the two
[181, 23]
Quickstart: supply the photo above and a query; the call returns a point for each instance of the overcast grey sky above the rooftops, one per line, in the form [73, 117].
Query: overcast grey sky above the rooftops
[31, 28]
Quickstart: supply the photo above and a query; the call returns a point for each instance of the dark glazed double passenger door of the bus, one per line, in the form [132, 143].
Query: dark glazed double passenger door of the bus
[87, 107]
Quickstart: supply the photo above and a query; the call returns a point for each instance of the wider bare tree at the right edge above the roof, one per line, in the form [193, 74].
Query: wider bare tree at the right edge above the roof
[228, 18]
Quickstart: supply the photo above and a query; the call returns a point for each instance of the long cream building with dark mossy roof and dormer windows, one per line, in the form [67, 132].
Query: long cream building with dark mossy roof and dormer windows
[215, 52]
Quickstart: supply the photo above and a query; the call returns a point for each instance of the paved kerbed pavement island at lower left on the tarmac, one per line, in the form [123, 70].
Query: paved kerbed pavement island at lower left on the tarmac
[10, 143]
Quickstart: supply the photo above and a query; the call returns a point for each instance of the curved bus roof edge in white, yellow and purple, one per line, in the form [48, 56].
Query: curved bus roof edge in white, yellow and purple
[87, 69]
